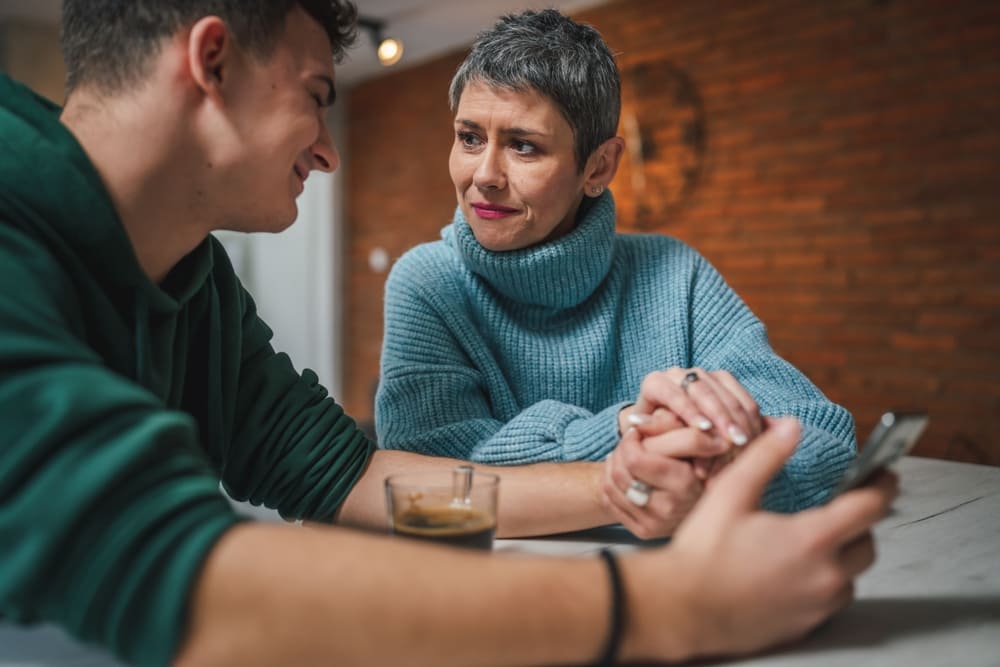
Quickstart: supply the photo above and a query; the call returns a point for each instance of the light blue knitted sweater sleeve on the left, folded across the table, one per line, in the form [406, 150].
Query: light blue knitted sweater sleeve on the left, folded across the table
[433, 396]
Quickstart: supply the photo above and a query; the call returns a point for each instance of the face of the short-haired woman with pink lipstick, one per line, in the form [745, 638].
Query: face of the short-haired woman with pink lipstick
[514, 167]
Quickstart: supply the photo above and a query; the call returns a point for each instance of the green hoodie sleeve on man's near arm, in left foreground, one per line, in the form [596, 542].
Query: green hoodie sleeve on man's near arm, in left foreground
[108, 506]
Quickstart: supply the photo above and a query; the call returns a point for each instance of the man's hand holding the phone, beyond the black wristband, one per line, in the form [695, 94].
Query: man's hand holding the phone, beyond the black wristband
[749, 578]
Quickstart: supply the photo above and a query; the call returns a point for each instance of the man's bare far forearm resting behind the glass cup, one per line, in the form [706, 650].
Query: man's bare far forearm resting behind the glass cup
[535, 499]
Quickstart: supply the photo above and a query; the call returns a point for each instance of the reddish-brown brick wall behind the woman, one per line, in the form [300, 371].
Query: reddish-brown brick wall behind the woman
[838, 162]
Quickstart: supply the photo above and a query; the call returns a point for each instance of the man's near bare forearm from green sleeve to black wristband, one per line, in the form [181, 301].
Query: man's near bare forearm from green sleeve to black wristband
[274, 594]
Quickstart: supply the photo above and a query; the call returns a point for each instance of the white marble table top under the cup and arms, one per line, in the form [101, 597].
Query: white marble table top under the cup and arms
[932, 599]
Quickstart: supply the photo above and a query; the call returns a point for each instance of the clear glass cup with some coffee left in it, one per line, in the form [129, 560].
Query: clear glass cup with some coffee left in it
[457, 507]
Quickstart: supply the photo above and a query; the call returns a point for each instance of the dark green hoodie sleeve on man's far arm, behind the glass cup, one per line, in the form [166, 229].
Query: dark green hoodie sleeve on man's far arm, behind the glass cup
[292, 447]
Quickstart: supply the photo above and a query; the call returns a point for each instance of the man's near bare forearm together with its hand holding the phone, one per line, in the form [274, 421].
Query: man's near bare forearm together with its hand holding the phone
[275, 594]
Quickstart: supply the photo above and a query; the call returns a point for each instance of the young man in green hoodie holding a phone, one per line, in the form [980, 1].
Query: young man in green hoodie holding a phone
[136, 376]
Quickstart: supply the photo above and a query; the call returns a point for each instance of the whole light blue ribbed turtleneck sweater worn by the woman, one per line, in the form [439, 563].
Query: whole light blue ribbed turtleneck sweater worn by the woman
[528, 355]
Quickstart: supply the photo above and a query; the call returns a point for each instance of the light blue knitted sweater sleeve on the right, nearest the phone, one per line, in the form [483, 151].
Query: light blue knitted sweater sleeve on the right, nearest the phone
[727, 336]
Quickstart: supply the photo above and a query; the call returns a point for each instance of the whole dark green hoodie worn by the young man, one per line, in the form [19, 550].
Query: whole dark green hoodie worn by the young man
[124, 403]
